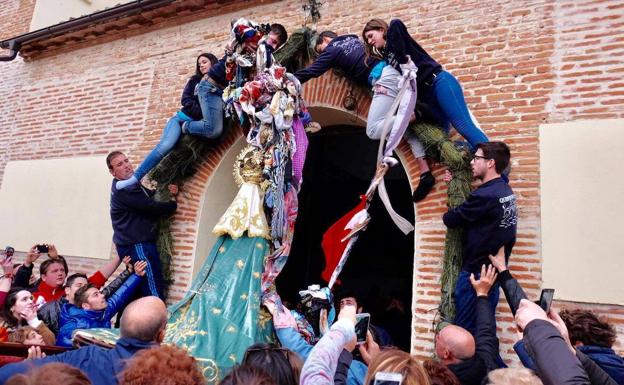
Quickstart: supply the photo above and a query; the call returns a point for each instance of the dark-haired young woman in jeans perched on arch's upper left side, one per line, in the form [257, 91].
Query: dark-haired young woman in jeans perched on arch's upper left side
[201, 115]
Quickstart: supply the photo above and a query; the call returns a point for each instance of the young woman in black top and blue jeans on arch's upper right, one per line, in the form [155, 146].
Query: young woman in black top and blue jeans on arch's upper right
[435, 87]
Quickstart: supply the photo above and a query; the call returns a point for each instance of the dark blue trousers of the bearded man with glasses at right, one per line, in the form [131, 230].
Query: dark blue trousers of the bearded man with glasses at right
[465, 302]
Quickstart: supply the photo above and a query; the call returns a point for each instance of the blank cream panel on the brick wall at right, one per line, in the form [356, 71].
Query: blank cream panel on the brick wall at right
[582, 205]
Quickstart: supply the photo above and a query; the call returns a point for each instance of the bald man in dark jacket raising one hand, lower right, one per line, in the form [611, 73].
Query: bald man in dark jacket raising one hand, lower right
[471, 359]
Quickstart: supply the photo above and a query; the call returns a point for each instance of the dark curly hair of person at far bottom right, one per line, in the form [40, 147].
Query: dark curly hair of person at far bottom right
[587, 328]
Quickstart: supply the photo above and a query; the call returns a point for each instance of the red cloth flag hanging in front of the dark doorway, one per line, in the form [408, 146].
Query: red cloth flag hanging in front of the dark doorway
[332, 245]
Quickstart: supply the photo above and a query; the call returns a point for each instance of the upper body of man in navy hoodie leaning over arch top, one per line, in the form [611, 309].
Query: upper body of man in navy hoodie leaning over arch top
[345, 52]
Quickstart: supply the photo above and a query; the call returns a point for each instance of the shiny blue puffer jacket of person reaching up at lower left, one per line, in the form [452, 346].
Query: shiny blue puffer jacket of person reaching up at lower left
[73, 317]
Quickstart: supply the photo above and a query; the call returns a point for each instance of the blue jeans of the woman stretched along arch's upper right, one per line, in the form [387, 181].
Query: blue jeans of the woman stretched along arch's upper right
[446, 99]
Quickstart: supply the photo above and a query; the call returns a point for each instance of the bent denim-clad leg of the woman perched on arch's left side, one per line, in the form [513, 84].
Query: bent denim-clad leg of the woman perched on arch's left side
[211, 103]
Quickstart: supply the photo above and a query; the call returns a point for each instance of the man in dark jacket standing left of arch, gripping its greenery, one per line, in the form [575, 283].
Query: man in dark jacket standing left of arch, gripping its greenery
[134, 214]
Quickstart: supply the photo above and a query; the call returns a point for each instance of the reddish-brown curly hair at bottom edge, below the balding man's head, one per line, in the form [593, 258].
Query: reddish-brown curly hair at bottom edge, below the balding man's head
[165, 364]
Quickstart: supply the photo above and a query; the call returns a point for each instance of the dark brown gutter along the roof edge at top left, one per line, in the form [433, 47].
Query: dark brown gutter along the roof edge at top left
[137, 6]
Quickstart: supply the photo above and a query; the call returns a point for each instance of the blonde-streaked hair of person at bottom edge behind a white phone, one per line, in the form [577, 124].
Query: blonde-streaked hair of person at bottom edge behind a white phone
[394, 360]
